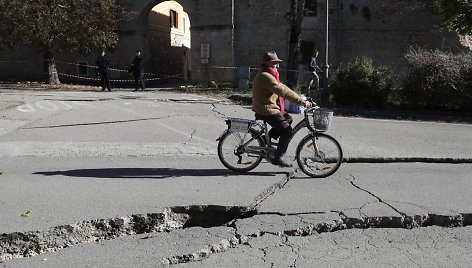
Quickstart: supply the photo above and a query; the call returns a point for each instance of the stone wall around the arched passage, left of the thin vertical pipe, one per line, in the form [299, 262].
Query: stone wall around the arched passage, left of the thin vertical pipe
[212, 25]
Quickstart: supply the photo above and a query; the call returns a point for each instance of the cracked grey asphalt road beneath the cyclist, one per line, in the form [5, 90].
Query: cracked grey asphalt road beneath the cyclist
[129, 180]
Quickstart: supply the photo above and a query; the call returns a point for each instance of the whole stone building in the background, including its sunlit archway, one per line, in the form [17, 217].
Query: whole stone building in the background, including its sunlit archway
[209, 39]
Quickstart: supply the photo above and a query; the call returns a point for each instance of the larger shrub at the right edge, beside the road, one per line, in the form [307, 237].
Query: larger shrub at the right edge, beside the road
[438, 80]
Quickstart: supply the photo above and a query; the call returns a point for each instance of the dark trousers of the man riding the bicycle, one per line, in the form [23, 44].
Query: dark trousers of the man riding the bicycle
[281, 127]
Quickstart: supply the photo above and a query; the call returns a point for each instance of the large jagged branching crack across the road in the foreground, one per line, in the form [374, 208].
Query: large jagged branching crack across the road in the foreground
[26, 244]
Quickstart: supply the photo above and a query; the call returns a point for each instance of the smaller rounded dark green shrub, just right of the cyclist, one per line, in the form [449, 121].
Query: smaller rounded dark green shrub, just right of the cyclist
[359, 84]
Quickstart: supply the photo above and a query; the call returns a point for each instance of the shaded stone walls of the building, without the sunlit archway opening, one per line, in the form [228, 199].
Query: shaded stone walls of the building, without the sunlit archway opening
[237, 32]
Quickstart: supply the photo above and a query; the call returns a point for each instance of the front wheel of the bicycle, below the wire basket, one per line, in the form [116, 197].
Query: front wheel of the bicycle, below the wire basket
[319, 155]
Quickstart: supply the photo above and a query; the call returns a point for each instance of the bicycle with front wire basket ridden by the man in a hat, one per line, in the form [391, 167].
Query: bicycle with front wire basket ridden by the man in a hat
[245, 143]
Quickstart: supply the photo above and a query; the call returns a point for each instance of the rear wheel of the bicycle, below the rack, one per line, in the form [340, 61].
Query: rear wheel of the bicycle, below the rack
[236, 157]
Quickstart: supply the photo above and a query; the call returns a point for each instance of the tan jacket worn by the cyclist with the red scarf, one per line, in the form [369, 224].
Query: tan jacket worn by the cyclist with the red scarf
[265, 92]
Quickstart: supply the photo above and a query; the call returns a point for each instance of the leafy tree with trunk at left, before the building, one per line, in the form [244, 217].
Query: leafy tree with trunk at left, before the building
[55, 26]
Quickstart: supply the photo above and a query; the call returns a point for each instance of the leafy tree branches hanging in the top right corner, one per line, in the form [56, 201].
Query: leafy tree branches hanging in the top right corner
[457, 14]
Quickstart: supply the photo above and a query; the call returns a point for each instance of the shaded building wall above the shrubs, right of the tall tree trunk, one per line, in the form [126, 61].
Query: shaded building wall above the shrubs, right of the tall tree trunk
[365, 28]
